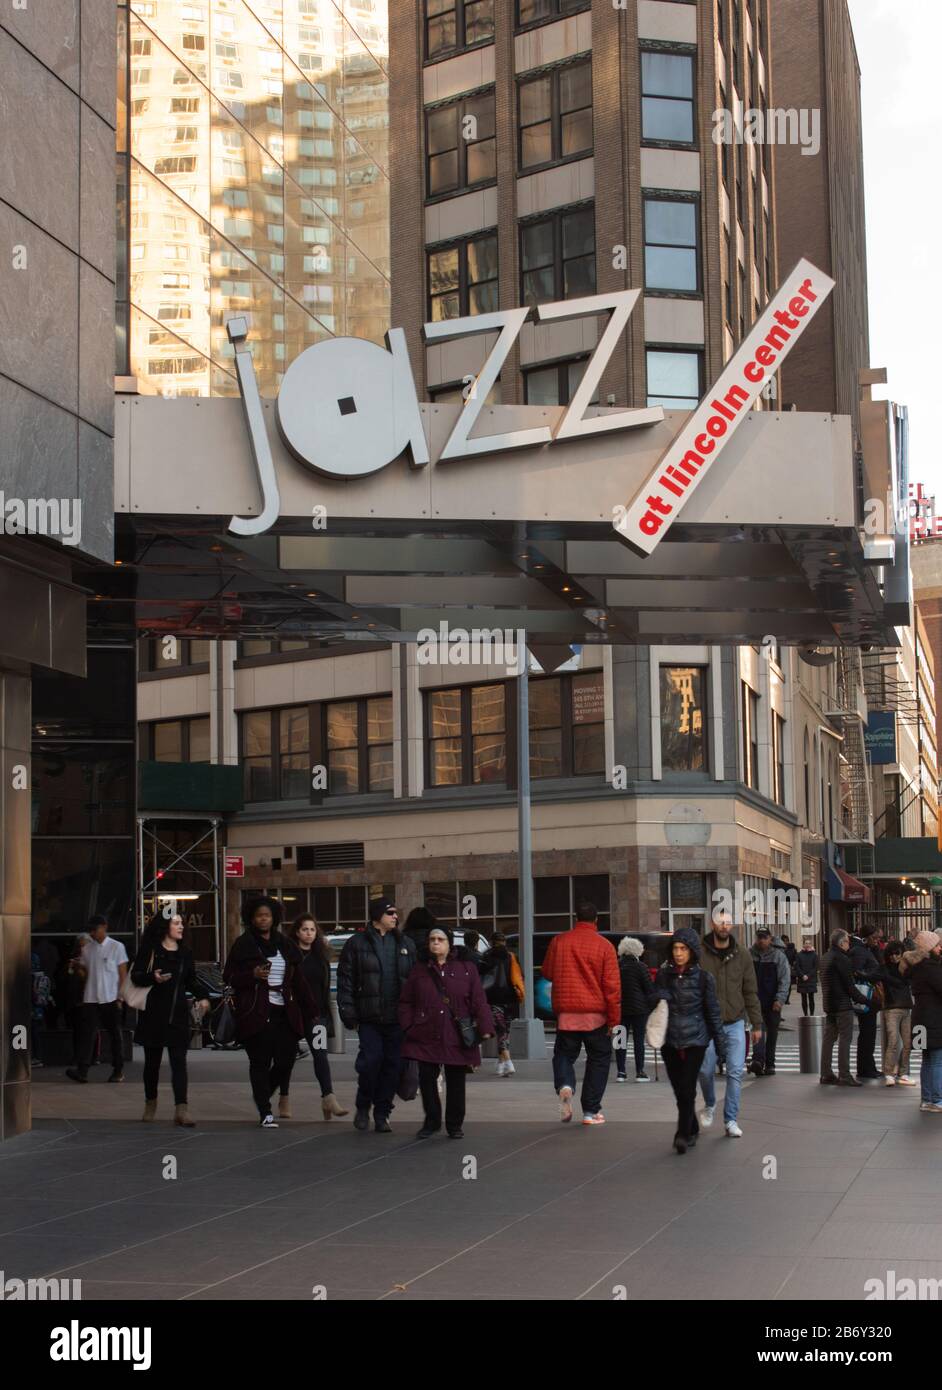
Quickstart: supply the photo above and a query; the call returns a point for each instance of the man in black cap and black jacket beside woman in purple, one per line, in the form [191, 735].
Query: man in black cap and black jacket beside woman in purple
[374, 965]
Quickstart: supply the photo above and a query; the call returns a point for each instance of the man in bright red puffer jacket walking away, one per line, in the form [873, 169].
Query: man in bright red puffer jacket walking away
[587, 1000]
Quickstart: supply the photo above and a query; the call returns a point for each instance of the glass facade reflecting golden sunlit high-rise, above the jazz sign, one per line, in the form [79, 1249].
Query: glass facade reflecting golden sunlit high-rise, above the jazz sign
[252, 179]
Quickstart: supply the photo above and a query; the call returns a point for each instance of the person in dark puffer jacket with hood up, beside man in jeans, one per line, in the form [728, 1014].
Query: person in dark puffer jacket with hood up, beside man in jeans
[694, 1022]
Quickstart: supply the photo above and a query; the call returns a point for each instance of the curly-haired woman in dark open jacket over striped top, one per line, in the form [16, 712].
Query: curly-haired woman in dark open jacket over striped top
[273, 1003]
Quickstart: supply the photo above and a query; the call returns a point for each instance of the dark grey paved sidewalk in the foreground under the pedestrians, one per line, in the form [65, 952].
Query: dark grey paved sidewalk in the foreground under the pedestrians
[555, 1213]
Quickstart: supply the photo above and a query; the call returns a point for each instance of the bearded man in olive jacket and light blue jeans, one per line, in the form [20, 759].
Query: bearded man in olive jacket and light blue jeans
[734, 978]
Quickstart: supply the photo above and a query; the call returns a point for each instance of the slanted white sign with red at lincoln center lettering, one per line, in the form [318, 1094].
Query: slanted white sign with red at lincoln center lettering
[690, 458]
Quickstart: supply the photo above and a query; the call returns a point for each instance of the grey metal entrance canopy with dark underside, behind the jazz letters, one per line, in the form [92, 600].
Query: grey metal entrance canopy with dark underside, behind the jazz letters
[768, 547]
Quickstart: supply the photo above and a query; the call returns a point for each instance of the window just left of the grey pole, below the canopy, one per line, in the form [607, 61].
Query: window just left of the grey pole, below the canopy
[466, 736]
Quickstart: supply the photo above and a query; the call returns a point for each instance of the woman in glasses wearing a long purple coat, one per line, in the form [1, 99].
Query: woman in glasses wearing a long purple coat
[438, 995]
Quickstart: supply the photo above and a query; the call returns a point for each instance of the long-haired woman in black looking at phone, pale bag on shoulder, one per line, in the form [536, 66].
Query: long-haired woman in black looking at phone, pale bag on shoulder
[166, 965]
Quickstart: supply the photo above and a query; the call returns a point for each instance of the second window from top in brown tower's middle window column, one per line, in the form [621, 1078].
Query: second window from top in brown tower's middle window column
[555, 116]
